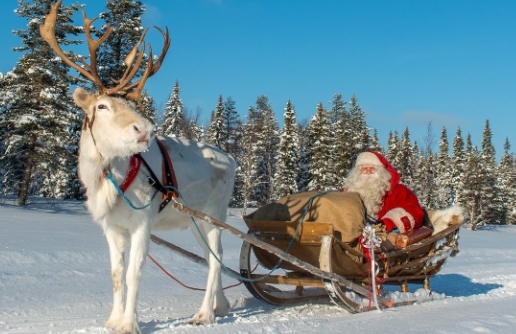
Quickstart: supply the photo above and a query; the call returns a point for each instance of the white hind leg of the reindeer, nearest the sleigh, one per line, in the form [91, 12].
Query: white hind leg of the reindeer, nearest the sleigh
[215, 302]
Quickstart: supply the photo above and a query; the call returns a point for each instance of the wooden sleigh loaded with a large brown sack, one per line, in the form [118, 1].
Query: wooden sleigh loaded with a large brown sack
[309, 228]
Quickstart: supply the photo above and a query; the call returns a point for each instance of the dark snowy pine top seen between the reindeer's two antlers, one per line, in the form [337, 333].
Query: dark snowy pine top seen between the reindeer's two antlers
[125, 18]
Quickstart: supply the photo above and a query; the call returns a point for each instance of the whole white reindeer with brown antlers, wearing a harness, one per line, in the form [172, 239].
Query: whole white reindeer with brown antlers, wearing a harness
[117, 145]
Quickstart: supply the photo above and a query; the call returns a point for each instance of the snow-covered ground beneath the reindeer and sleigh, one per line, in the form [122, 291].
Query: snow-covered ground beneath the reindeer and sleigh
[55, 278]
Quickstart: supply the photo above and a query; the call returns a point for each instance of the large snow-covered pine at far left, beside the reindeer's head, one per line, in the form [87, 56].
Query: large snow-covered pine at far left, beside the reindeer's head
[40, 122]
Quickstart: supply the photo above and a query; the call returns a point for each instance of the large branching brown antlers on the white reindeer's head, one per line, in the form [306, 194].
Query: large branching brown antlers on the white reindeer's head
[133, 60]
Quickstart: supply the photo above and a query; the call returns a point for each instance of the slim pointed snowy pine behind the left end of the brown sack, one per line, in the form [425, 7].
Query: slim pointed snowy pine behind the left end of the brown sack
[287, 172]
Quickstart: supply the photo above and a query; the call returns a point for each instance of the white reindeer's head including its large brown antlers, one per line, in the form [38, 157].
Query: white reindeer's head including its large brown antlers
[116, 127]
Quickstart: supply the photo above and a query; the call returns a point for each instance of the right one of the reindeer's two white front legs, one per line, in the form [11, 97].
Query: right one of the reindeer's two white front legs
[139, 247]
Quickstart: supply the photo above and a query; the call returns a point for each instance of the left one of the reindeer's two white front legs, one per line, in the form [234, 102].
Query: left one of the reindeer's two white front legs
[118, 240]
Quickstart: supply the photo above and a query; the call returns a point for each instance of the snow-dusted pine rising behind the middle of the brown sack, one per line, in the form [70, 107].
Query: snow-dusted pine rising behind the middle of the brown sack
[320, 153]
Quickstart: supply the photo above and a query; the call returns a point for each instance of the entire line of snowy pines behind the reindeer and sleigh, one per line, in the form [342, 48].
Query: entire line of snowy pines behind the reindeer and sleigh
[40, 127]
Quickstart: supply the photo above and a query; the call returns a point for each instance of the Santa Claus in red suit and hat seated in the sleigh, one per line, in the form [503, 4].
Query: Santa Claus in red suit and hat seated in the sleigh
[387, 200]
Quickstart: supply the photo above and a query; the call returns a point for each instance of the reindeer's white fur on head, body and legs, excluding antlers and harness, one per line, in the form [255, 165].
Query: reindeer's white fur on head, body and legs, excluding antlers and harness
[205, 180]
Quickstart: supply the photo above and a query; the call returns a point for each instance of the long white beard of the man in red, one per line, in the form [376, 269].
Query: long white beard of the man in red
[372, 188]
